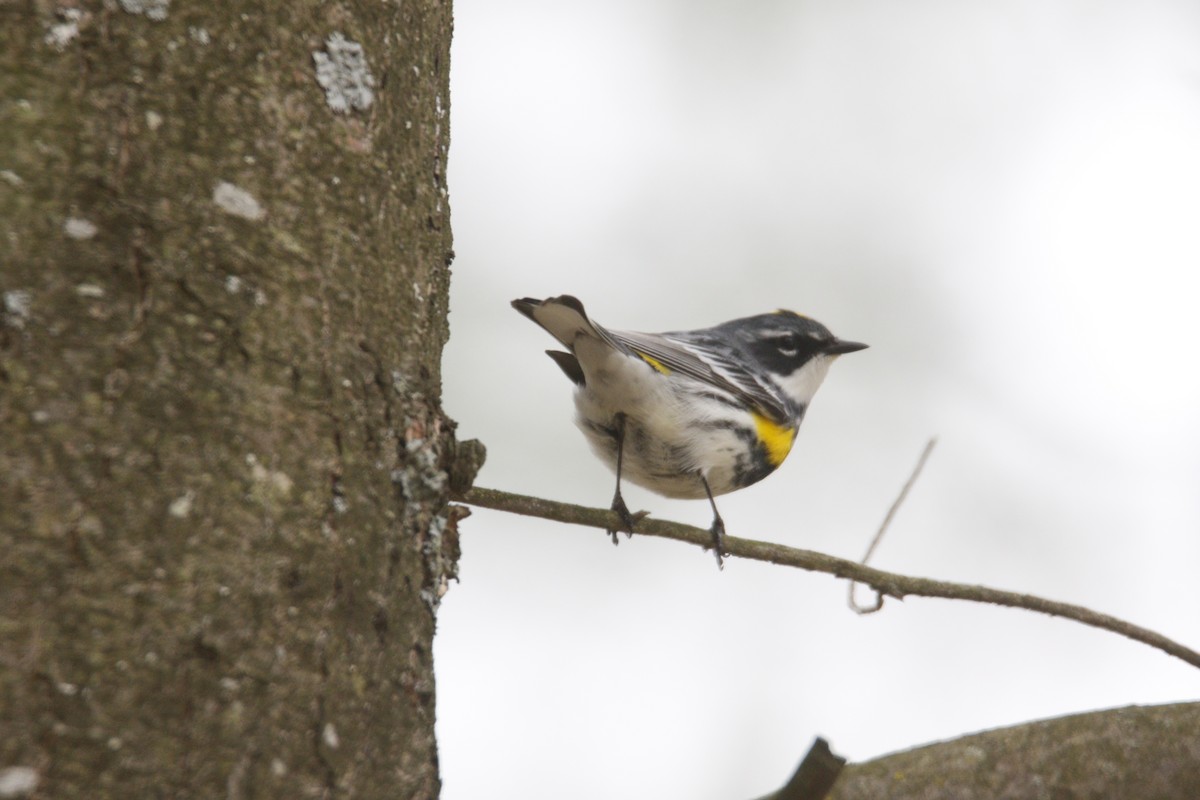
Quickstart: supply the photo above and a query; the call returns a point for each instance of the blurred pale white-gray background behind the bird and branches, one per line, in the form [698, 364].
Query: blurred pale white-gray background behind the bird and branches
[1004, 200]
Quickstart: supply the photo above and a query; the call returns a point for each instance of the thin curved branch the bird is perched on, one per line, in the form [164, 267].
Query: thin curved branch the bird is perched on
[886, 584]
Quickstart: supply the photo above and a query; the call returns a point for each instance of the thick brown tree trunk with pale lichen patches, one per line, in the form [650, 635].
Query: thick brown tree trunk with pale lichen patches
[224, 468]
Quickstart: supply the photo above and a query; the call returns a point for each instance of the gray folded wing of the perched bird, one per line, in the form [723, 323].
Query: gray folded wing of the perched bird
[700, 358]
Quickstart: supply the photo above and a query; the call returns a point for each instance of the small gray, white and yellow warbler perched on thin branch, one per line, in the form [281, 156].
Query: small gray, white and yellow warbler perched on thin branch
[691, 414]
